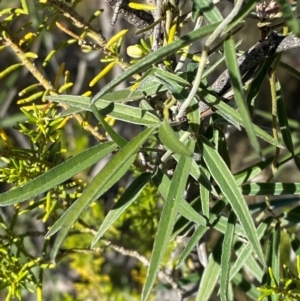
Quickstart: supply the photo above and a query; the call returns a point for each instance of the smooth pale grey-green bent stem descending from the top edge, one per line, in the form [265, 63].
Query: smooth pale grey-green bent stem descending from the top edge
[218, 31]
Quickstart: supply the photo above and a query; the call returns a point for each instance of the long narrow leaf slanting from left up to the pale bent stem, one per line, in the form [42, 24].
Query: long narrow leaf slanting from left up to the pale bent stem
[156, 57]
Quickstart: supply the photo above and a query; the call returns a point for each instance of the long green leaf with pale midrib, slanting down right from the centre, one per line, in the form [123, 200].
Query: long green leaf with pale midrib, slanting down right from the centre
[227, 185]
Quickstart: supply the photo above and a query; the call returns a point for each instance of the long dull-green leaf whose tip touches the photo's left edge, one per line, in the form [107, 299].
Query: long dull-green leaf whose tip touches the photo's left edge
[57, 174]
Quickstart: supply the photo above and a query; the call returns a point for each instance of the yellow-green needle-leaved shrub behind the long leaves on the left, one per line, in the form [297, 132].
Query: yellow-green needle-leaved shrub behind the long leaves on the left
[27, 26]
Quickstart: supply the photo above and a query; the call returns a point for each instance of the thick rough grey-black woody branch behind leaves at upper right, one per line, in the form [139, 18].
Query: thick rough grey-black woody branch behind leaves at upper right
[252, 58]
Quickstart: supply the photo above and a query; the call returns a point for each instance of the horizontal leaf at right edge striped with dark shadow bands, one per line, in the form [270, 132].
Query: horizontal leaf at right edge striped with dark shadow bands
[270, 188]
